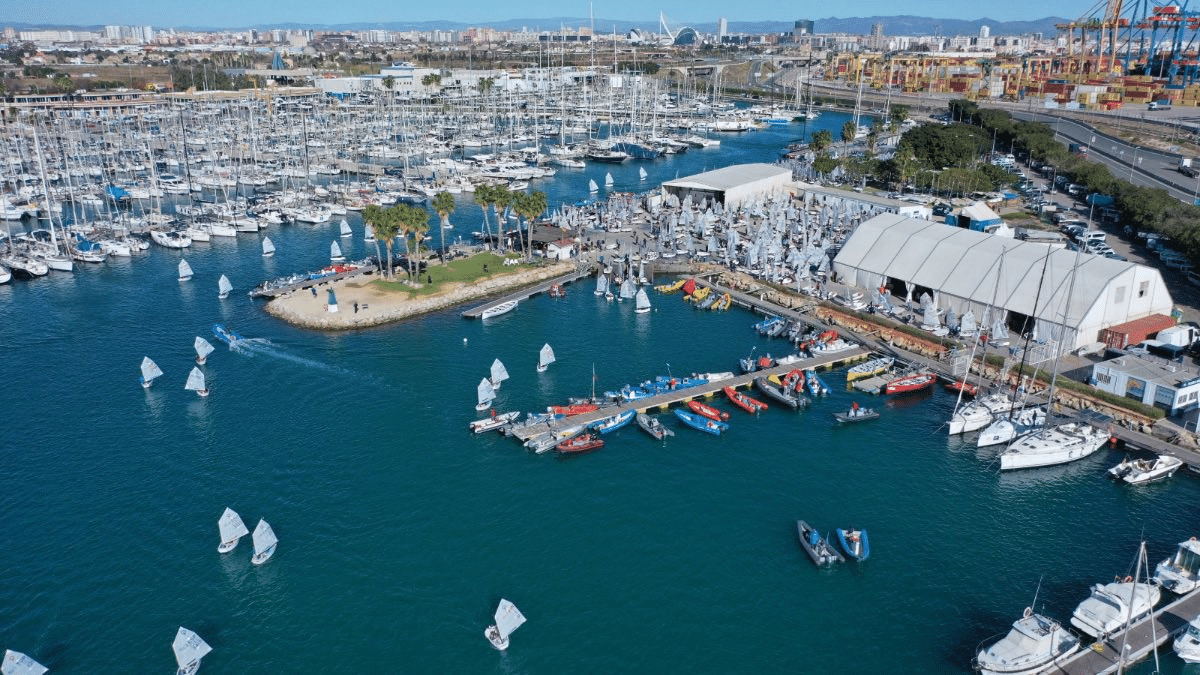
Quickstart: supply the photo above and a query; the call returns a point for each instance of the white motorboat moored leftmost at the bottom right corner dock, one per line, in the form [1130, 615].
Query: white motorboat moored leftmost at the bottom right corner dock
[1034, 646]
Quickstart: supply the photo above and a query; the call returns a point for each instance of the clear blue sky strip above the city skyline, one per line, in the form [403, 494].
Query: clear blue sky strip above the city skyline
[237, 14]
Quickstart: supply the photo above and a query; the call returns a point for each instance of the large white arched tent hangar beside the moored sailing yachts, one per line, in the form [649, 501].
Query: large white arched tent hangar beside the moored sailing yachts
[964, 270]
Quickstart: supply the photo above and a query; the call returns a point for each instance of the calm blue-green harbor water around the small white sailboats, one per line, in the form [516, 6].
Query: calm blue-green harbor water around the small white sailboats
[400, 531]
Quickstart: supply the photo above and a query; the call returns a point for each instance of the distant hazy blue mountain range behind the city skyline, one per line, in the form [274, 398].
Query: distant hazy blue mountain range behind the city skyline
[857, 26]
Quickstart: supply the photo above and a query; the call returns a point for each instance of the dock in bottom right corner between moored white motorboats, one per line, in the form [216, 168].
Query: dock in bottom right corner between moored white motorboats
[1143, 637]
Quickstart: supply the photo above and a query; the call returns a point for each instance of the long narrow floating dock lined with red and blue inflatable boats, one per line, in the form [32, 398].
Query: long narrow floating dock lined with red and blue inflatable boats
[664, 402]
